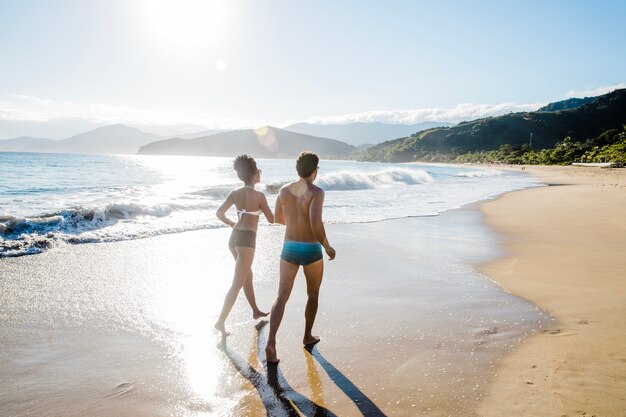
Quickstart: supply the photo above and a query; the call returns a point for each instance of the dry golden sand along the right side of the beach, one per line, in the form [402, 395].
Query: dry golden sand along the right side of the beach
[566, 253]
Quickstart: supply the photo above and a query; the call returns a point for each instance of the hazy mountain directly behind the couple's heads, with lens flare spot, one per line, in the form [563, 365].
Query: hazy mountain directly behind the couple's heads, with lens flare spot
[264, 142]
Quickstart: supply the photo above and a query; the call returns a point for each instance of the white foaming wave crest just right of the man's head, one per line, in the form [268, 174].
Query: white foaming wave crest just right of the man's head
[359, 180]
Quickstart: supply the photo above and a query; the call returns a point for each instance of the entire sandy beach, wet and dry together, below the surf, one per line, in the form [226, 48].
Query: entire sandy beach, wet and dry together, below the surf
[410, 319]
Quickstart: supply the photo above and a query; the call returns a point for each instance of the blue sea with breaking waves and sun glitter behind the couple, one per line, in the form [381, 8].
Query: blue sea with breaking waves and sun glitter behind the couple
[47, 200]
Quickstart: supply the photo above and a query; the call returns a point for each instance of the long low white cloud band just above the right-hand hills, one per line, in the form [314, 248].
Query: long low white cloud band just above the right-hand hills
[464, 111]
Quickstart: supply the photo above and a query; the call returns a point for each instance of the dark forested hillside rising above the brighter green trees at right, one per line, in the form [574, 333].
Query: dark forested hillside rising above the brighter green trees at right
[547, 128]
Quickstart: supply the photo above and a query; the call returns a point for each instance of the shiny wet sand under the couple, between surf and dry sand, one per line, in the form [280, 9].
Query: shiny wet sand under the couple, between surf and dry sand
[408, 326]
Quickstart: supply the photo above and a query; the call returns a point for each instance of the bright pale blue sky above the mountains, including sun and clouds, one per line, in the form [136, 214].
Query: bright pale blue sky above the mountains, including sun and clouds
[184, 65]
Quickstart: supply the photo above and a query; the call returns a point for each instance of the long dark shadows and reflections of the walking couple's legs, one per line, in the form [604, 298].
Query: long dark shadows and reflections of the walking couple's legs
[279, 398]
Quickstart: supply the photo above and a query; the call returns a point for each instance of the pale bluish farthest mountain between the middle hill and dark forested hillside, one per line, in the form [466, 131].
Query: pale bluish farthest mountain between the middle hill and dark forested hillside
[362, 133]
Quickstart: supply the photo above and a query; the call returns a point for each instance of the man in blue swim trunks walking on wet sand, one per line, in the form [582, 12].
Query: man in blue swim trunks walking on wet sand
[299, 207]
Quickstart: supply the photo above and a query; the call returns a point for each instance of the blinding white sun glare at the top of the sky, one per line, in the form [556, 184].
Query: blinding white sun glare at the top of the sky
[187, 25]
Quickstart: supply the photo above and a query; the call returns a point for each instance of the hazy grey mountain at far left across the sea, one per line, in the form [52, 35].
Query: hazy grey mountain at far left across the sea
[113, 139]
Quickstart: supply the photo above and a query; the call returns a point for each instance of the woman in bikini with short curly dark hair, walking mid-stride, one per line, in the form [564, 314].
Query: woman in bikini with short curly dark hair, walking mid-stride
[250, 204]
